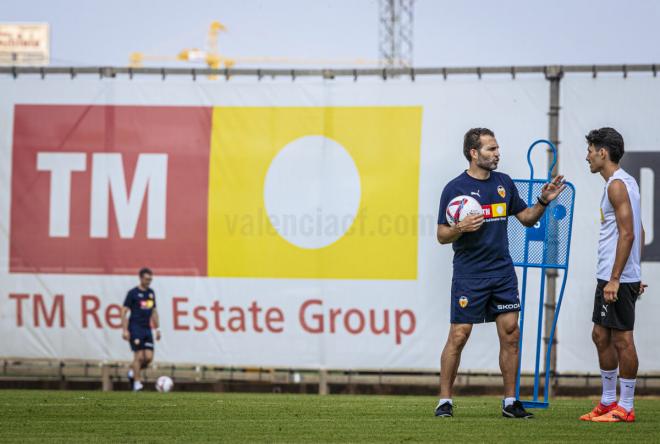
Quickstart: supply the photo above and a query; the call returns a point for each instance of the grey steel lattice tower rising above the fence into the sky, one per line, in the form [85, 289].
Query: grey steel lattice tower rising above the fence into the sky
[396, 33]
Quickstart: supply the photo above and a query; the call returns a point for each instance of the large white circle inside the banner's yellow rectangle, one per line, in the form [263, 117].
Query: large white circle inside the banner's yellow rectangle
[312, 192]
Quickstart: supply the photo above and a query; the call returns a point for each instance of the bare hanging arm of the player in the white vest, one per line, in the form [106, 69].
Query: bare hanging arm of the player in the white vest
[618, 195]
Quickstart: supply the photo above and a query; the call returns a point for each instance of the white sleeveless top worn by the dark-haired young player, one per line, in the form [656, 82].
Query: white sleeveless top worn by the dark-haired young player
[609, 234]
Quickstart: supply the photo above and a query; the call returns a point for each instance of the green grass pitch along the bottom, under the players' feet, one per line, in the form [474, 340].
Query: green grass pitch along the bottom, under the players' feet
[65, 416]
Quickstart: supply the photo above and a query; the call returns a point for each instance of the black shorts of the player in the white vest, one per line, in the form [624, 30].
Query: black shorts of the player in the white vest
[619, 315]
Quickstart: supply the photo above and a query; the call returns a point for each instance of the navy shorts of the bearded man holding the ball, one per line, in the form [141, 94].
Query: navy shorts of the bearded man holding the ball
[477, 300]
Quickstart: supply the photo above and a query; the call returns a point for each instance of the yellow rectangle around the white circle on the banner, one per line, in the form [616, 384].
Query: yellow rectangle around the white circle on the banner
[384, 144]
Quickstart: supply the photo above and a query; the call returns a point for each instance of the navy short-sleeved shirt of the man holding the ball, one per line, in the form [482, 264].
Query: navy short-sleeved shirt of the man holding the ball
[485, 252]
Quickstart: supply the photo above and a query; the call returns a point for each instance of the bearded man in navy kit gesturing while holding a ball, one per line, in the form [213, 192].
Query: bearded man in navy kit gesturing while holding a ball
[484, 284]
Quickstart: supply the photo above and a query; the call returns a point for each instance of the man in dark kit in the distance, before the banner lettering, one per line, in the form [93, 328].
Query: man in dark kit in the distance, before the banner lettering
[141, 302]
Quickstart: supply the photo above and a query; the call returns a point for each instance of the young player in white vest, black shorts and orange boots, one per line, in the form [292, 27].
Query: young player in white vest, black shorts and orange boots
[618, 275]
